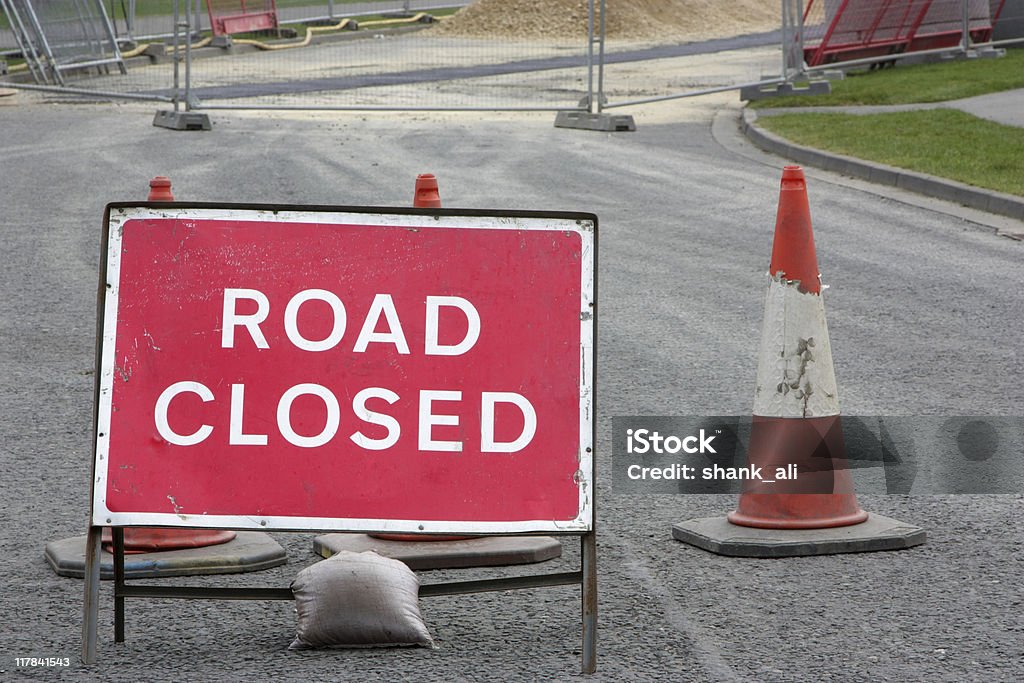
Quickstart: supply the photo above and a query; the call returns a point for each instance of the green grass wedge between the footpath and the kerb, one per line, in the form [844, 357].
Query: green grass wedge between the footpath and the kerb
[944, 143]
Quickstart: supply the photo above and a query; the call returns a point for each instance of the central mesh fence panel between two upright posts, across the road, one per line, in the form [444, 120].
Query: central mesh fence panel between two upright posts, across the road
[397, 55]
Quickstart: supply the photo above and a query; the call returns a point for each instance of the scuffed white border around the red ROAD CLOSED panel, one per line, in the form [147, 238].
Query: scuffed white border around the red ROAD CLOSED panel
[118, 217]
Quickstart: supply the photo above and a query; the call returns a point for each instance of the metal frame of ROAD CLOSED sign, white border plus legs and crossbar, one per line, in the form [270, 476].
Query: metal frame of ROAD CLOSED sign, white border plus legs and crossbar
[584, 526]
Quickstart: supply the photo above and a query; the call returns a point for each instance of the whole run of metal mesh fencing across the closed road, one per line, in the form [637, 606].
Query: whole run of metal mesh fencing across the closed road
[433, 55]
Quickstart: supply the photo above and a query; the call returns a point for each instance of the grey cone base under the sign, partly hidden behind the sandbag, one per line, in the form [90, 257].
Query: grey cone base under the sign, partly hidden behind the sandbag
[487, 551]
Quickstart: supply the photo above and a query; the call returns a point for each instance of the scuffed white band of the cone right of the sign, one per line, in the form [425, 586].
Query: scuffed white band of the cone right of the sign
[796, 377]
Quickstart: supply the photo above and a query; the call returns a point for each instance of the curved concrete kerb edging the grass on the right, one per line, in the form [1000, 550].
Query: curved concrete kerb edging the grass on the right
[976, 198]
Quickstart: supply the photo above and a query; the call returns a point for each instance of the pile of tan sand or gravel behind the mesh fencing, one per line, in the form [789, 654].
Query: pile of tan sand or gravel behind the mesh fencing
[659, 21]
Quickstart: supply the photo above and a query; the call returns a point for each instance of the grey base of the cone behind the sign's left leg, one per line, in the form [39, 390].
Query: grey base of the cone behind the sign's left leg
[250, 551]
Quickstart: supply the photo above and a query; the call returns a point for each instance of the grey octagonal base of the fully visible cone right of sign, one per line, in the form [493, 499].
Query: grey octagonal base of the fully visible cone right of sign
[718, 536]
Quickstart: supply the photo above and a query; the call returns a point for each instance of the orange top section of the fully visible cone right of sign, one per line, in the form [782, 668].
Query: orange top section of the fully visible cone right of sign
[793, 253]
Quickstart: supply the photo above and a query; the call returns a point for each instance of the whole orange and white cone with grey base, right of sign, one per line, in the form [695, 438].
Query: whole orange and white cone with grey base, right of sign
[809, 506]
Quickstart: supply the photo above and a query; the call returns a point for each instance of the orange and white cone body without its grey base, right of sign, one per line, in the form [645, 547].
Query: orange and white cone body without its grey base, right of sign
[796, 404]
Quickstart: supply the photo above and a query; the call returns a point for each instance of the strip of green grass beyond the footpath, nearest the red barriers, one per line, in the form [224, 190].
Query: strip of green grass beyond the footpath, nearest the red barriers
[919, 83]
